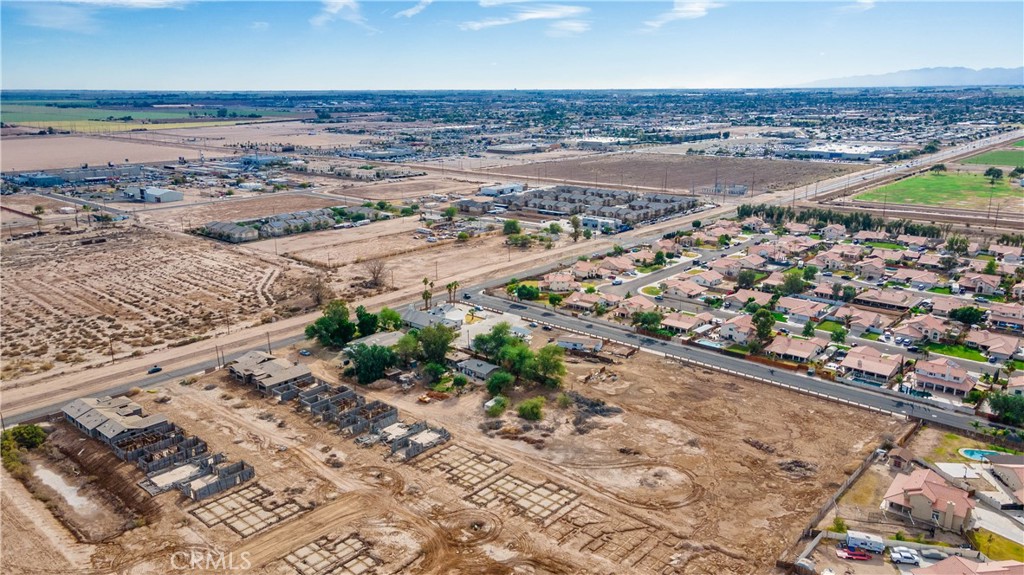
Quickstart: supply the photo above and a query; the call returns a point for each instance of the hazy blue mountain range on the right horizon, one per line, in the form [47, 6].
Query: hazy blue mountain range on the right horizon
[929, 77]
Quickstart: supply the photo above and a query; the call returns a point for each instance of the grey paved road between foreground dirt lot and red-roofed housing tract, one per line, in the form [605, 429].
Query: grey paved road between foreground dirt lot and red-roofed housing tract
[874, 399]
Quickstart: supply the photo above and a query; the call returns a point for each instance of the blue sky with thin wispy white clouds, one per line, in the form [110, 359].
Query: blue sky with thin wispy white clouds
[491, 45]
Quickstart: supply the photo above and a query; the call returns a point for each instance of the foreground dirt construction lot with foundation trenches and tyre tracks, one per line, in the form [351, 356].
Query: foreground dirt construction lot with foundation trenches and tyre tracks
[650, 491]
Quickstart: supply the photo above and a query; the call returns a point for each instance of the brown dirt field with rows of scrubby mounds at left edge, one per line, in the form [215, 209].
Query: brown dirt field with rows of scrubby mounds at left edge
[65, 303]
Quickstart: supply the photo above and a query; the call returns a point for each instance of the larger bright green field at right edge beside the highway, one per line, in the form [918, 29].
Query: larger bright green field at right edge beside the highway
[967, 192]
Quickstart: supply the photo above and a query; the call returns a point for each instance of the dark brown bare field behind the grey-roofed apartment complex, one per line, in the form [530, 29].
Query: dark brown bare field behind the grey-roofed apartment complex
[681, 172]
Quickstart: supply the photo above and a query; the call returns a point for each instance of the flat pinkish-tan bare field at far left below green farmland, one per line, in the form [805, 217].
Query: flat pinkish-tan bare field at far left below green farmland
[46, 153]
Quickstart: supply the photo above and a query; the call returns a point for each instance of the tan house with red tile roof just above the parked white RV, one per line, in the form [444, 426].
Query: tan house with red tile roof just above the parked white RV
[927, 498]
